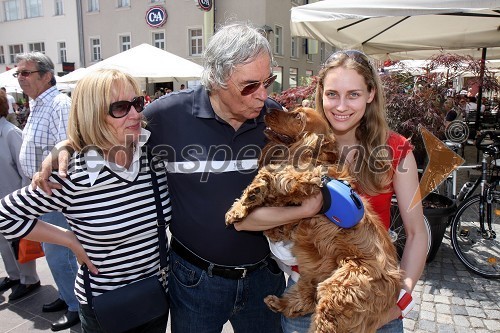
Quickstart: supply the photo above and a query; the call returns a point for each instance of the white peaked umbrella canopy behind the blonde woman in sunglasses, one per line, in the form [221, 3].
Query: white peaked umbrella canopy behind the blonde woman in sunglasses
[145, 61]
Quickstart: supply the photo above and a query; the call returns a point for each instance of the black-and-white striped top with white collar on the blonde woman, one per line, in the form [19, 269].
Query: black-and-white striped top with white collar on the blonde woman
[113, 216]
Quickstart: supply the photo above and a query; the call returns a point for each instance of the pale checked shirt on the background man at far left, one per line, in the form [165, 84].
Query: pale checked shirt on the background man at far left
[46, 126]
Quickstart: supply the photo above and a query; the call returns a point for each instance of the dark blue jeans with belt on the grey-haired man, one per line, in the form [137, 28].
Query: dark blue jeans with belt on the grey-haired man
[200, 303]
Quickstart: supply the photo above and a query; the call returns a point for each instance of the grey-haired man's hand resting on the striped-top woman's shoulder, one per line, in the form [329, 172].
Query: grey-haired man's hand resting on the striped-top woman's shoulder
[57, 160]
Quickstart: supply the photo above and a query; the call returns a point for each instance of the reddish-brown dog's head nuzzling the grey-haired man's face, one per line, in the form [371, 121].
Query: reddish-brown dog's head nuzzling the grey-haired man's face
[287, 127]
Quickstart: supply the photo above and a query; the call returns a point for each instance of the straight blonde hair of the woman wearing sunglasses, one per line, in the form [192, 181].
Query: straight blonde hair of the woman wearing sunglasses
[89, 108]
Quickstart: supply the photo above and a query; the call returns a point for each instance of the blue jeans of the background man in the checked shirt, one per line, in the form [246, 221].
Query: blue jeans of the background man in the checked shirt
[62, 263]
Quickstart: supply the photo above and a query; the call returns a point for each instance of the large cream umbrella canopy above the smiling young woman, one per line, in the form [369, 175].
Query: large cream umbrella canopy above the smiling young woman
[386, 26]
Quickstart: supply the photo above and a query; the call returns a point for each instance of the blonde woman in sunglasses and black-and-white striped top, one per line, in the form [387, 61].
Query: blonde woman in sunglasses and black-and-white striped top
[106, 198]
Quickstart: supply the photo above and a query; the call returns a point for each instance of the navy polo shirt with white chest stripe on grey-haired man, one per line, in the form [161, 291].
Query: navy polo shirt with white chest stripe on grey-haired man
[209, 165]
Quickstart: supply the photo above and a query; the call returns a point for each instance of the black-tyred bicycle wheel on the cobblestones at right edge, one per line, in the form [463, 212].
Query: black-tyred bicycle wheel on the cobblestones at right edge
[480, 255]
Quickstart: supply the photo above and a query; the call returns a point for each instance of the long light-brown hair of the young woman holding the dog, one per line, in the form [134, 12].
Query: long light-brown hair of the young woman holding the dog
[372, 131]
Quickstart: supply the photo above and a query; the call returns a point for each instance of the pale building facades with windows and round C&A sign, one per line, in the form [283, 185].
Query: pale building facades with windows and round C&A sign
[80, 33]
